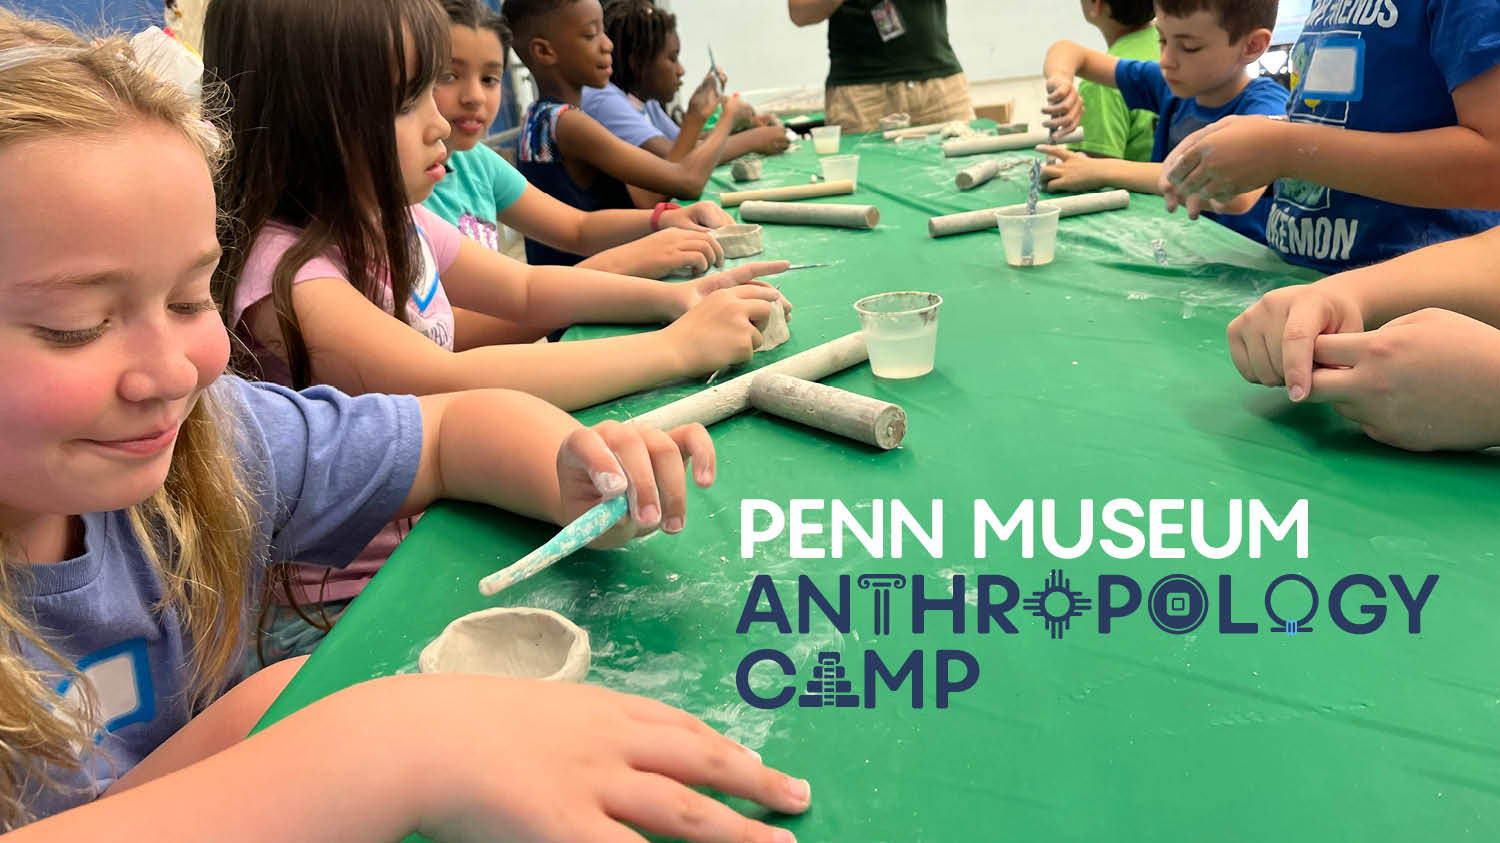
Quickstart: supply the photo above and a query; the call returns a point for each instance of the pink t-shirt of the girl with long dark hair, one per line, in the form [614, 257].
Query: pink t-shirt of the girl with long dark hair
[428, 311]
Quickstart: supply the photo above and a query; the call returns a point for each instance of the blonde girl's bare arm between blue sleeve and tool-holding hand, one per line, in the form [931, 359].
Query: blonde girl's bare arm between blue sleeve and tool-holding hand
[494, 446]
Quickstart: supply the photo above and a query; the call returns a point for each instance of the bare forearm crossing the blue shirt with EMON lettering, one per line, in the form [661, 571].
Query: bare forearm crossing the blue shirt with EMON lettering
[1454, 167]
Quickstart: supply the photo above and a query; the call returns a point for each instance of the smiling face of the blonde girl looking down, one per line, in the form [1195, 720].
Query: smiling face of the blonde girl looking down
[107, 329]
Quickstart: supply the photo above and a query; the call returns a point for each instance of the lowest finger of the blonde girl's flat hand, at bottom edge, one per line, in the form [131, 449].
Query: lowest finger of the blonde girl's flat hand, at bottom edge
[662, 806]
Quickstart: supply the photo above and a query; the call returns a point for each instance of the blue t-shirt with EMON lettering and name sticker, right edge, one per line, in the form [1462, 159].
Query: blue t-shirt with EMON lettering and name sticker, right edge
[1382, 67]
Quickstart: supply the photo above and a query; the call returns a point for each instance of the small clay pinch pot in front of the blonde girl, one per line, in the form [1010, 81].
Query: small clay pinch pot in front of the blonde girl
[518, 643]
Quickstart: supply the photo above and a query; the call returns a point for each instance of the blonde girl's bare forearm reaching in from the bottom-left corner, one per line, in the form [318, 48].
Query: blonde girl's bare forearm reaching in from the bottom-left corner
[319, 797]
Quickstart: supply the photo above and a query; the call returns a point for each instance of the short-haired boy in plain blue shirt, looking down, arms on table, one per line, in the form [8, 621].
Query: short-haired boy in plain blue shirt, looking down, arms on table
[1201, 79]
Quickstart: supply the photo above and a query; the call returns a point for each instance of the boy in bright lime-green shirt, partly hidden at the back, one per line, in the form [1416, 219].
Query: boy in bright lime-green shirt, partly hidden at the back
[1111, 130]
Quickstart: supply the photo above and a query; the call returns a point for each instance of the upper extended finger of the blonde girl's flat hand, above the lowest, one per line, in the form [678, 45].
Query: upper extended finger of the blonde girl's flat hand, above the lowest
[721, 764]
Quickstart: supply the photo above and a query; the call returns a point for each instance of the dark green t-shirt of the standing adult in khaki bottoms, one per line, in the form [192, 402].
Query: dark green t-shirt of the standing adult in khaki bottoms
[859, 56]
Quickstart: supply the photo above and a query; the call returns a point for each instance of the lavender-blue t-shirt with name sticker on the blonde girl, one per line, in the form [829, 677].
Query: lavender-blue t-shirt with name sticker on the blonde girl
[328, 472]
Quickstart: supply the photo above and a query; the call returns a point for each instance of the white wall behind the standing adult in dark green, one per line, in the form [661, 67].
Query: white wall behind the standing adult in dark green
[760, 47]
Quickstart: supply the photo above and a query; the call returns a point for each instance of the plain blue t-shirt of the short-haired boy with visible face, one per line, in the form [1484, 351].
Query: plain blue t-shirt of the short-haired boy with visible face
[1142, 86]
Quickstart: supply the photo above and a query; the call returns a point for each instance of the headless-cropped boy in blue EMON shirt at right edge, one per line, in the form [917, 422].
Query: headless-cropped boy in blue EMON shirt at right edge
[1393, 122]
